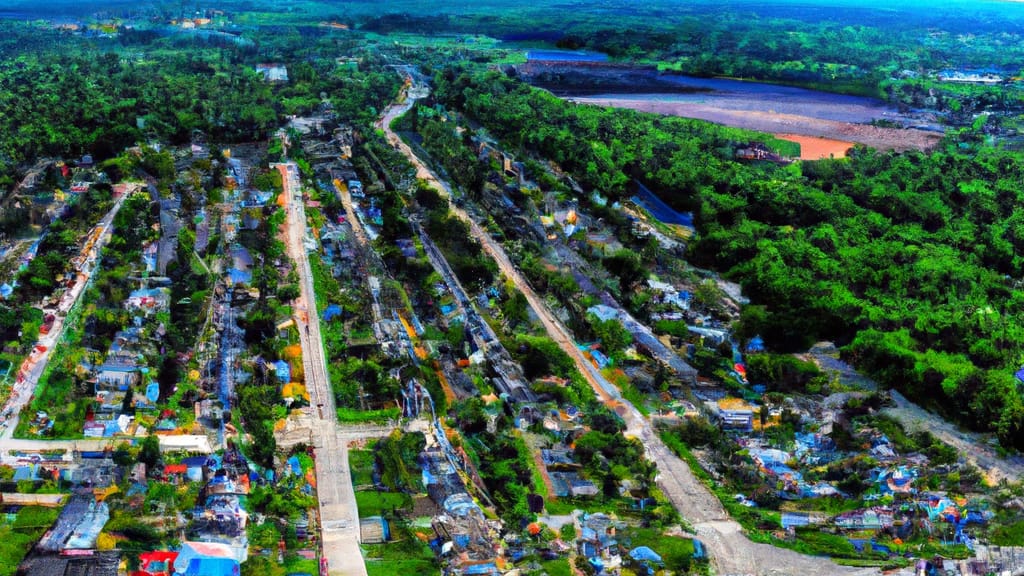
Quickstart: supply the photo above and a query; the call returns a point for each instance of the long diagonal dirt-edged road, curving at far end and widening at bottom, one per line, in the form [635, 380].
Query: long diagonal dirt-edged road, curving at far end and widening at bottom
[732, 551]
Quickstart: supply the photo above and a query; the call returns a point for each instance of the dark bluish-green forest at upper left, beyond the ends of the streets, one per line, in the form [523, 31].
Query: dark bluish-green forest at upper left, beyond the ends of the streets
[78, 100]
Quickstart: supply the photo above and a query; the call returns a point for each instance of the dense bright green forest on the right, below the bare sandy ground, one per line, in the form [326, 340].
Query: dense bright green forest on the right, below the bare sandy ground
[909, 261]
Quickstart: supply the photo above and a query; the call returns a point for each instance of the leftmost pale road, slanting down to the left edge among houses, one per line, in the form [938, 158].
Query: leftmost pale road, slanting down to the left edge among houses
[32, 369]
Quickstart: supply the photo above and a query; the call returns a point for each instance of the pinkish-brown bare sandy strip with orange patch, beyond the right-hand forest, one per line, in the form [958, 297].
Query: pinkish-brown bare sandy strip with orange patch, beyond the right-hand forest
[777, 124]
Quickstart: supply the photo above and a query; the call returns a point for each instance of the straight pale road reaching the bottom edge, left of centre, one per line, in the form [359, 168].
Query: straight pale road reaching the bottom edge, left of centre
[339, 515]
